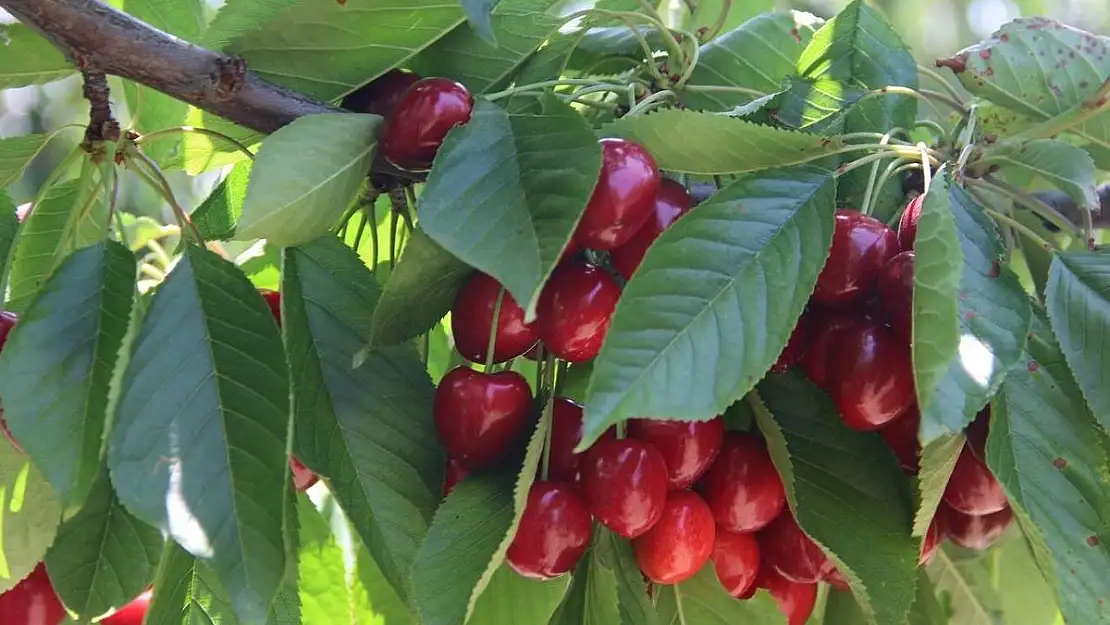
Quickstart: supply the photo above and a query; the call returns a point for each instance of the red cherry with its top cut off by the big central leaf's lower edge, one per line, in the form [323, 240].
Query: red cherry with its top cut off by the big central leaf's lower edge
[688, 447]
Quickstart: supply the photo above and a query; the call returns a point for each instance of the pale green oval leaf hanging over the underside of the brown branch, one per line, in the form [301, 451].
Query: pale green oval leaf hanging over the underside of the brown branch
[292, 199]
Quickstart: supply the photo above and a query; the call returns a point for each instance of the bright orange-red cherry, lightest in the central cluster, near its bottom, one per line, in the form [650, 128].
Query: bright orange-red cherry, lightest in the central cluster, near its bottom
[681, 543]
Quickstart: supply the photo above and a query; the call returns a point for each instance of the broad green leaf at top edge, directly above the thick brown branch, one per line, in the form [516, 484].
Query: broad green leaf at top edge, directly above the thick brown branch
[329, 49]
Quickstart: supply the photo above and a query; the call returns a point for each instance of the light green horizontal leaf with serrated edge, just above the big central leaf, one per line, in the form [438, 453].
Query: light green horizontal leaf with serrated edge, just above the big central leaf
[712, 144]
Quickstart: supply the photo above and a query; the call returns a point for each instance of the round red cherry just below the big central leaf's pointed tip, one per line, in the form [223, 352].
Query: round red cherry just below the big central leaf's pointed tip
[624, 482]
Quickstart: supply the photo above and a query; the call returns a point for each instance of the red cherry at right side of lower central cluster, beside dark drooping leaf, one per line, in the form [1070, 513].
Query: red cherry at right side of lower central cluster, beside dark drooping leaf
[742, 487]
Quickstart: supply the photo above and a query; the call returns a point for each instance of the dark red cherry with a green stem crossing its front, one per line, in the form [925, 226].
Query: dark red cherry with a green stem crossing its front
[472, 316]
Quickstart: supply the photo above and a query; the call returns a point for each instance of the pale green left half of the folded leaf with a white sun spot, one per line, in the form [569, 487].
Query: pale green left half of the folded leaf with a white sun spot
[939, 267]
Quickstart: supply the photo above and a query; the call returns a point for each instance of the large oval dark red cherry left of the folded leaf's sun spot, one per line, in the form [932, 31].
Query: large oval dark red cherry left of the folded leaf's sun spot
[872, 377]
